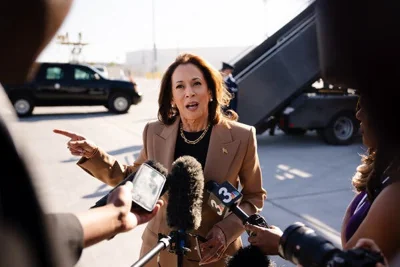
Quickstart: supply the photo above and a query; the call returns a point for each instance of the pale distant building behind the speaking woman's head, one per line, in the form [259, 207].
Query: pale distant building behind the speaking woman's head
[142, 62]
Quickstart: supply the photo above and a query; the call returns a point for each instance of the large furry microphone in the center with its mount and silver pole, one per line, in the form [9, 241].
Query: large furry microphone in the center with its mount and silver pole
[186, 185]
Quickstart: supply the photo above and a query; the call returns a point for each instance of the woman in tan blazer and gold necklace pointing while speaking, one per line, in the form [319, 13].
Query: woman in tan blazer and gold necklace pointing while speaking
[191, 122]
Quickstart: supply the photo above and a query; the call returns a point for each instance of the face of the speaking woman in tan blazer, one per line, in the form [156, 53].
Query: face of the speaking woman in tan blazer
[190, 93]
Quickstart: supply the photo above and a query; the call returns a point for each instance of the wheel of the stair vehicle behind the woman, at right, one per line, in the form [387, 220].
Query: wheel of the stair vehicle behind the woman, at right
[341, 129]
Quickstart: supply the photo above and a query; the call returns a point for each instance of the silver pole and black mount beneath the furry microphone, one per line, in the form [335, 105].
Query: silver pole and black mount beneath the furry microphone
[176, 240]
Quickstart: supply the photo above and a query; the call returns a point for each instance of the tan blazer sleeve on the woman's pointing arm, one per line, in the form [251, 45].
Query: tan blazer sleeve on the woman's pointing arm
[107, 169]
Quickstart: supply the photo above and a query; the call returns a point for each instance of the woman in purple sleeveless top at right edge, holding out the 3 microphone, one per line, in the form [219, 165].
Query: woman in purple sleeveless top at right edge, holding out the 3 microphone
[374, 212]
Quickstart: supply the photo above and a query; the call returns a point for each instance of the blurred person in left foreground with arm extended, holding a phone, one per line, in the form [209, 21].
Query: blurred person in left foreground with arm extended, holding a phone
[28, 235]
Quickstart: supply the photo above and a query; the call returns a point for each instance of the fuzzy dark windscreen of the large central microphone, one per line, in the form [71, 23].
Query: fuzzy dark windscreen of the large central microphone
[186, 185]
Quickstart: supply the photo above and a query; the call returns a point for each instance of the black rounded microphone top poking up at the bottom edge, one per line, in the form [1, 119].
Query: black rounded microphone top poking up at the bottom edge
[247, 254]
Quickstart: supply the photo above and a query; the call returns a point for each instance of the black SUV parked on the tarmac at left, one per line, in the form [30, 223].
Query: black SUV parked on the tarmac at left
[66, 84]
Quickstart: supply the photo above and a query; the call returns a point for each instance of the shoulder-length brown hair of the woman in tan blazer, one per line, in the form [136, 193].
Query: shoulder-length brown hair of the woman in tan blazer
[215, 83]
